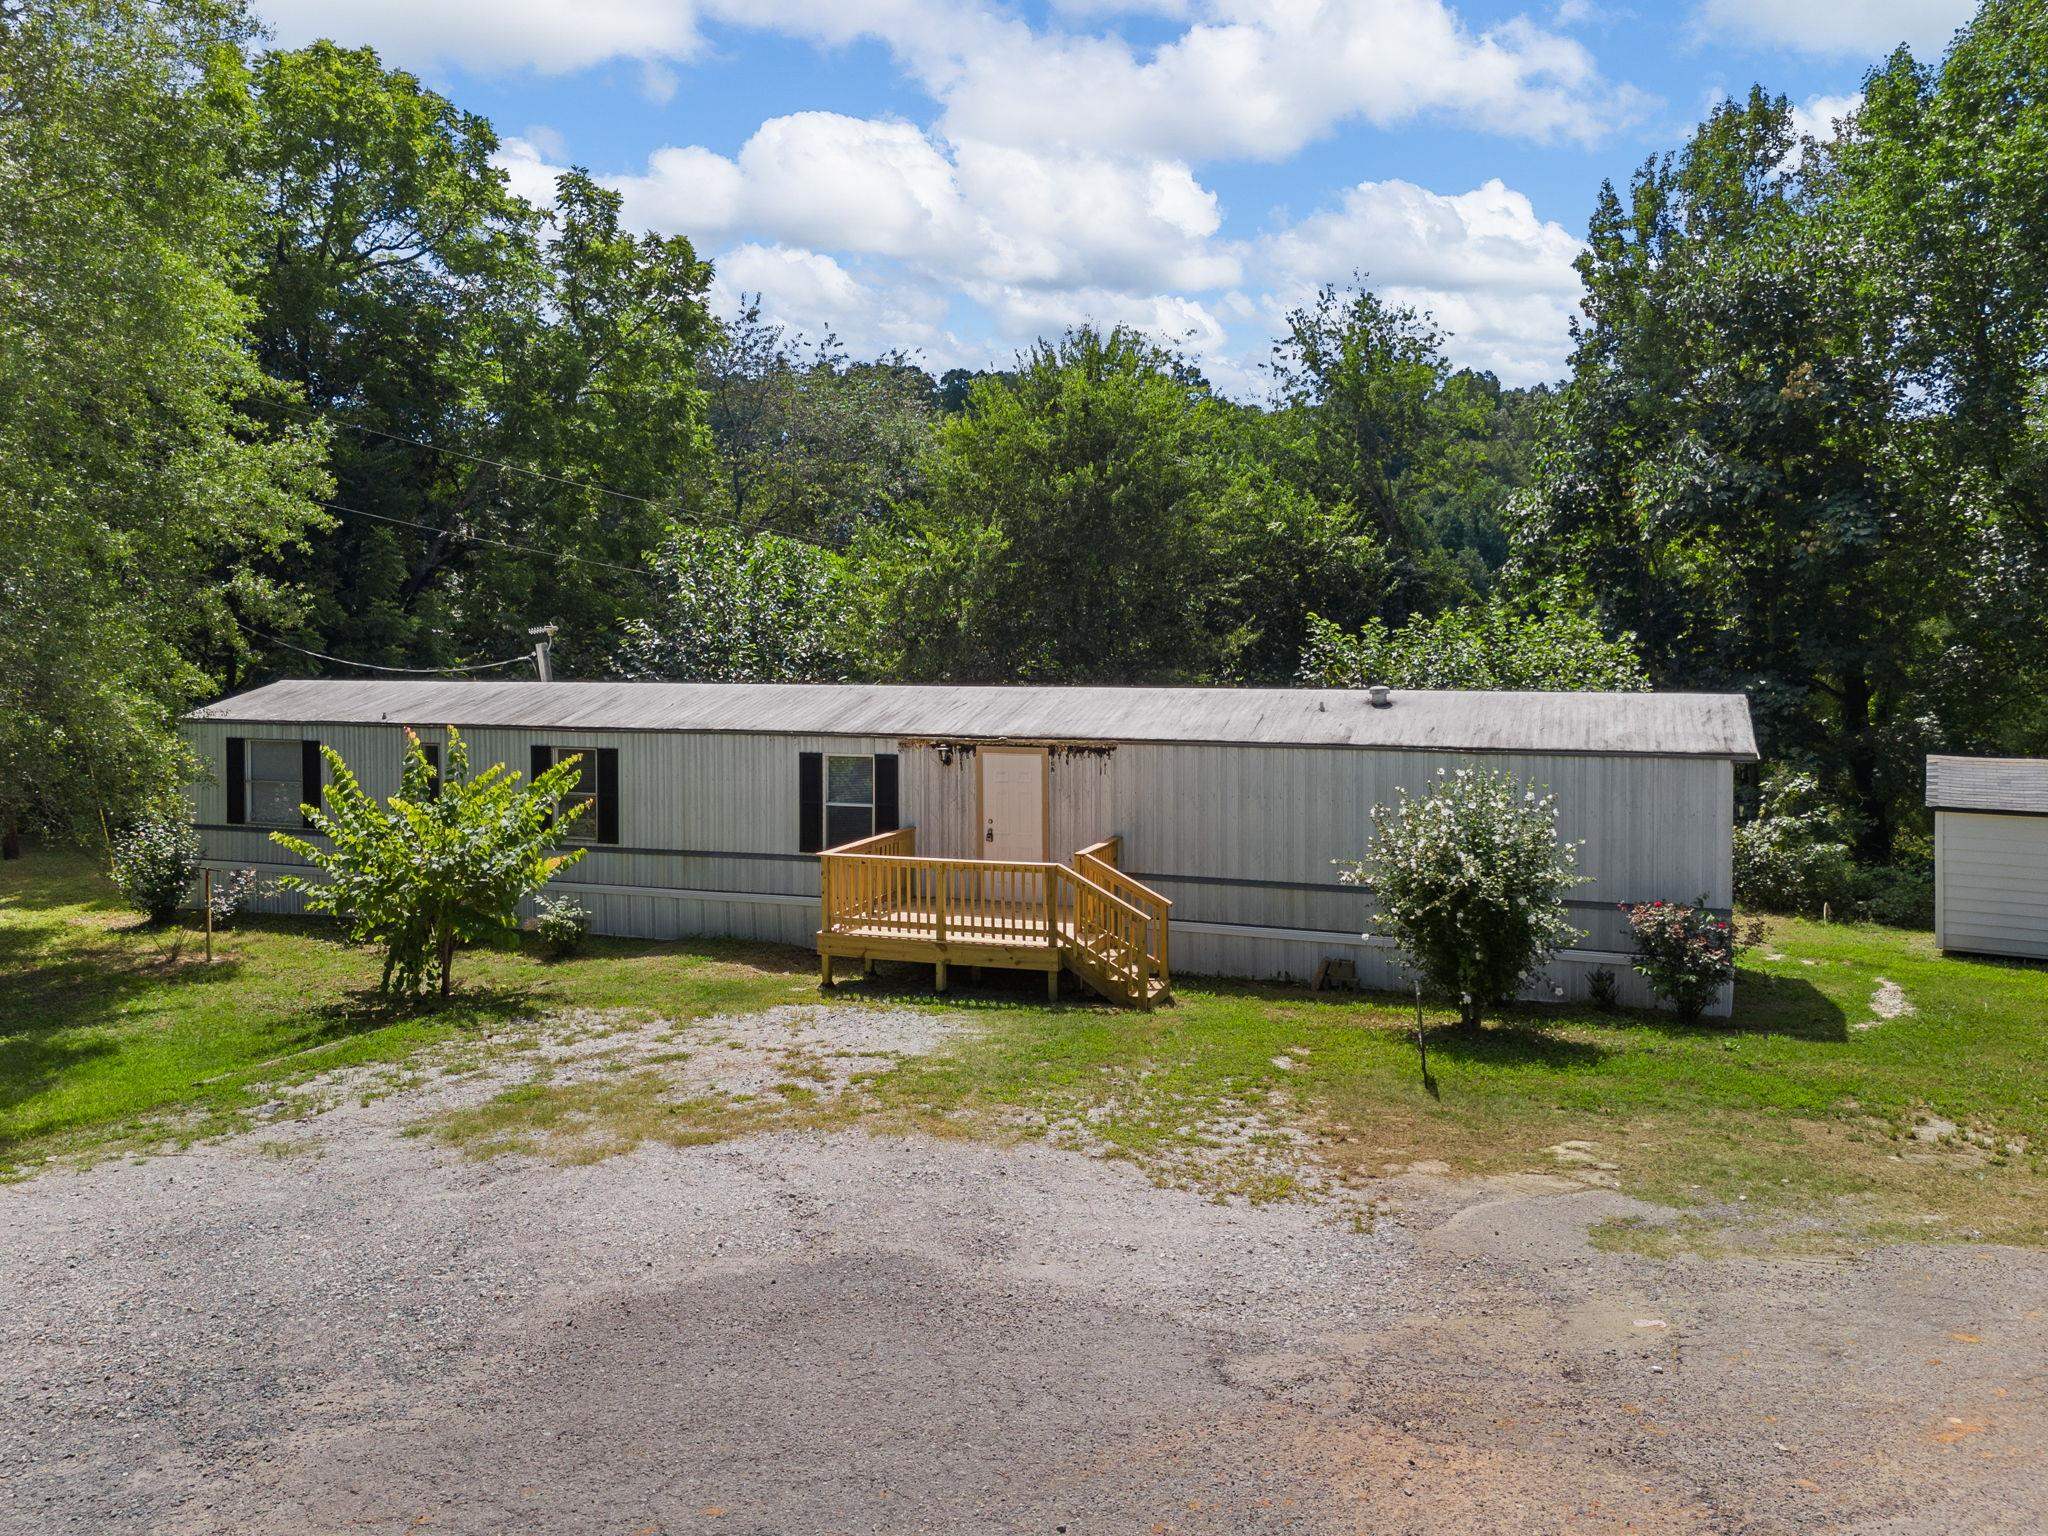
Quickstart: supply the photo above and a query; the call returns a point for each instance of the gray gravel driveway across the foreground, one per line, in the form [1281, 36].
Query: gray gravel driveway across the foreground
[851, 1334]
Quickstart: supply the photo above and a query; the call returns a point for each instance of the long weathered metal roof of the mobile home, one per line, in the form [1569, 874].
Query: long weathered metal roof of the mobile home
[1666, 726]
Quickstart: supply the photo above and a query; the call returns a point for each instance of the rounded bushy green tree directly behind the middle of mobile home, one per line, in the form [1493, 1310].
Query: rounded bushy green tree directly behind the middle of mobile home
[1101, 517]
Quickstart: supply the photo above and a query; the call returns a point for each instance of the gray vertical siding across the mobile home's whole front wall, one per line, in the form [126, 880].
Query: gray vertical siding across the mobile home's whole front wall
[1238, 837]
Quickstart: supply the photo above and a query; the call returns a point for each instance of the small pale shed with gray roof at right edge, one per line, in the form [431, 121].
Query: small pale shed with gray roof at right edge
[1990, 855]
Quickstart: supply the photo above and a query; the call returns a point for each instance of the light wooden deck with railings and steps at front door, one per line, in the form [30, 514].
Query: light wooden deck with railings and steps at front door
[882, 902]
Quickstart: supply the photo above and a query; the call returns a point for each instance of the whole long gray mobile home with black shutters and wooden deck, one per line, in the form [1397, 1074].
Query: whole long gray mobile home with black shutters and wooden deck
[1207, 814]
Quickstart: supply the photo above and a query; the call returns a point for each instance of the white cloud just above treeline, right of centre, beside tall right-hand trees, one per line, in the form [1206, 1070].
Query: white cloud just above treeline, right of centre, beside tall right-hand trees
[1498, 280]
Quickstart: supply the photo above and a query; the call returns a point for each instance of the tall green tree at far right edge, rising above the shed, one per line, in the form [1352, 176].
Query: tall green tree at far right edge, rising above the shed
[1940, 189]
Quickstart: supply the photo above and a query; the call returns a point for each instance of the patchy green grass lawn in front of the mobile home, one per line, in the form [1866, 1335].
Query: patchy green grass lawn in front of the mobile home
[1801, 1115]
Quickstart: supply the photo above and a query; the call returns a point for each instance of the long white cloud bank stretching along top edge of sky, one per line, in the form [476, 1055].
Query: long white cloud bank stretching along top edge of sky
[1242, 79]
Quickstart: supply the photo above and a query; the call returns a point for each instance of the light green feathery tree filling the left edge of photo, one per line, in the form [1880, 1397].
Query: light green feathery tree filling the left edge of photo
[138, 484]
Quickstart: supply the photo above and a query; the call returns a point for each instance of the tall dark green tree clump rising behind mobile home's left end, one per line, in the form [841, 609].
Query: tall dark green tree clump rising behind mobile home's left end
[486, 366]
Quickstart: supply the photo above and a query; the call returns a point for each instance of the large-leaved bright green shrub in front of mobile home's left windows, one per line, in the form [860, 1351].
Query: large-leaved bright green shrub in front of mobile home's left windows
[437, 865]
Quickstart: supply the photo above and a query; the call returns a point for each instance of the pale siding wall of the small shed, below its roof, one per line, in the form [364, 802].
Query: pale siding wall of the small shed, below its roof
[1992, 884]
